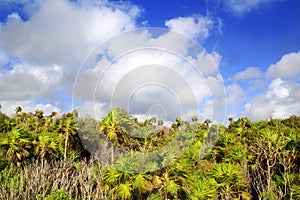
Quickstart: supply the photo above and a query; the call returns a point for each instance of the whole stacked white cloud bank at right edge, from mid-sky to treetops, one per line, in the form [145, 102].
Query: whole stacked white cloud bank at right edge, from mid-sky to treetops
[275, 93]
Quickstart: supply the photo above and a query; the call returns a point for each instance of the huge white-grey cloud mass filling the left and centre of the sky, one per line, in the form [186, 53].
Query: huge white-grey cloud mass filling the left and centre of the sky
[40, 57]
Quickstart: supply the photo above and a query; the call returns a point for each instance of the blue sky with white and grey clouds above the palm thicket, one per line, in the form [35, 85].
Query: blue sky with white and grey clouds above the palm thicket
[213, 59]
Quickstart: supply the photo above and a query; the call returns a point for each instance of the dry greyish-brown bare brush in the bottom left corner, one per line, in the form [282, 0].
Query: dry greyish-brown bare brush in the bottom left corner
[53, 180]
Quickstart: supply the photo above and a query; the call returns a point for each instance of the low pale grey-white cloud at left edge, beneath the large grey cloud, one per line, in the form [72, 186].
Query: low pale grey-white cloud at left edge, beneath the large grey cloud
[24, 81]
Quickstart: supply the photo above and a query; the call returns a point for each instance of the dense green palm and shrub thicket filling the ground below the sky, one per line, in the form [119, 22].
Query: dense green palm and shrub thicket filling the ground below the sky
[68, 157]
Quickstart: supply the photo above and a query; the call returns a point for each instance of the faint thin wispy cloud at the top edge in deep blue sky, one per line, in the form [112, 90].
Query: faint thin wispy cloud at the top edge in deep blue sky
[241, 7]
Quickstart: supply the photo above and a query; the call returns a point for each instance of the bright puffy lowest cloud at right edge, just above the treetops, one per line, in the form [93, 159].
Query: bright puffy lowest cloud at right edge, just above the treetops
[280, 101]
